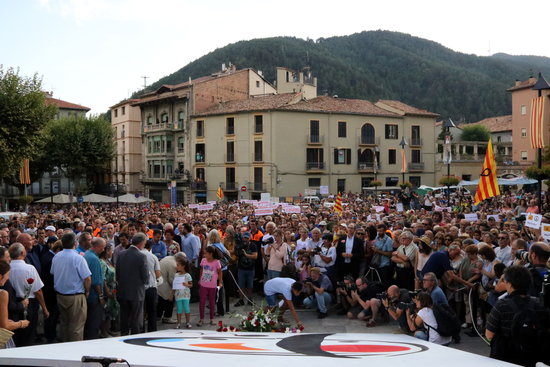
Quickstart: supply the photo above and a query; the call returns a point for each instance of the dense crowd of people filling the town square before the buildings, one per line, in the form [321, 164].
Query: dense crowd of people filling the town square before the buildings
[94, 271]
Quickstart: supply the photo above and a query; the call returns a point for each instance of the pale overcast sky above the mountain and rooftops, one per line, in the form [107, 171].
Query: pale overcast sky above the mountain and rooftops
[94, 52]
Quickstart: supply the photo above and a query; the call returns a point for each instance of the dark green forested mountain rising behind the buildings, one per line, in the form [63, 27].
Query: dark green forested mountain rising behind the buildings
[383, 65]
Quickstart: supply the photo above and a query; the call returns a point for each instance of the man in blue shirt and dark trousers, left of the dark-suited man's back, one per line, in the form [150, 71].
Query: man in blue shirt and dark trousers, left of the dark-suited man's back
[95, 300]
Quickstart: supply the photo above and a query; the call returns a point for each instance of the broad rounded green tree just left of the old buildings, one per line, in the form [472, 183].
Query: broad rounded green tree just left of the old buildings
[81, 147]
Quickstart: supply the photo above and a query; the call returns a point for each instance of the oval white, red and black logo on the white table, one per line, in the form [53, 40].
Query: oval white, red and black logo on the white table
[319, 345]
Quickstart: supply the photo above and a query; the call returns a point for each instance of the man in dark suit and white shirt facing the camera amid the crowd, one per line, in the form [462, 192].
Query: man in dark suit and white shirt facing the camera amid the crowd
[349, 252]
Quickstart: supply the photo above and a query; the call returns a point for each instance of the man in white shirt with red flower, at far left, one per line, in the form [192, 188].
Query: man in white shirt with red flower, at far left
[27, 284]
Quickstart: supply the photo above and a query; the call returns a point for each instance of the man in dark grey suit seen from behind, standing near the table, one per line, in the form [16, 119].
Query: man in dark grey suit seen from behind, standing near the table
[132, 275]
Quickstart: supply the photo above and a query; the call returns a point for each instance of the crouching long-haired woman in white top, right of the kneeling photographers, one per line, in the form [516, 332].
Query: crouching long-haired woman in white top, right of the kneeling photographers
[422, 322]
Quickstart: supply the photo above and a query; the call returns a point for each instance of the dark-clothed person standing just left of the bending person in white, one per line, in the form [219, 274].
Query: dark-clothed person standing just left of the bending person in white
[247, 253]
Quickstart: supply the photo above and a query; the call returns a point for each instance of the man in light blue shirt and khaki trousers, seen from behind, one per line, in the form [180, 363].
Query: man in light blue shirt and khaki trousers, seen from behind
[72, 280]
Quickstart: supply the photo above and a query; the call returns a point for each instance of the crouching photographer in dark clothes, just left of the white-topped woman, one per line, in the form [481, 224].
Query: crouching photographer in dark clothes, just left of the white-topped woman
[393, 301]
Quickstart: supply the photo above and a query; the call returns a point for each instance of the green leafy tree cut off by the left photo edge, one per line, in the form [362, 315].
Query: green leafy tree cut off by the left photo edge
[23, 117]
